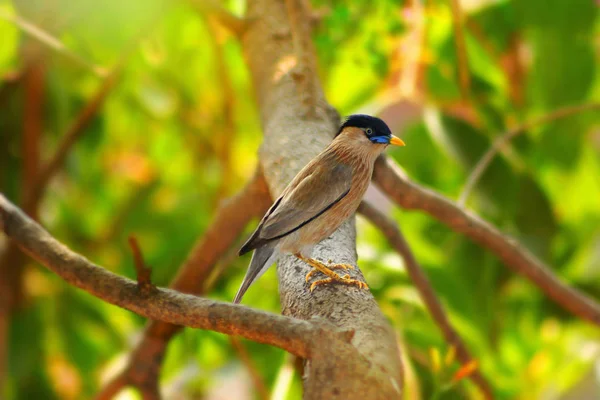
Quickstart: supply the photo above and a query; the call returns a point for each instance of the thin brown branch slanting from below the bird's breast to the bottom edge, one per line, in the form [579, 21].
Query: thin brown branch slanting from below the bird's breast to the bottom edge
[395, 237]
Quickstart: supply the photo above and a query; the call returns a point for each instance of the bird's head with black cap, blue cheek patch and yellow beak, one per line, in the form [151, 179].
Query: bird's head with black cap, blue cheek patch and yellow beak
[367, 130]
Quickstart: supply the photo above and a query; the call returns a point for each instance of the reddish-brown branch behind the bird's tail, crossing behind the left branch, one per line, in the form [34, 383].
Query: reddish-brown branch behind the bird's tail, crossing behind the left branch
[232, 216]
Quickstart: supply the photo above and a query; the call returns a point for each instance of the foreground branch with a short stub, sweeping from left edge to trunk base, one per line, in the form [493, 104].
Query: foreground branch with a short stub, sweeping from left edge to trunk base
[333, 356]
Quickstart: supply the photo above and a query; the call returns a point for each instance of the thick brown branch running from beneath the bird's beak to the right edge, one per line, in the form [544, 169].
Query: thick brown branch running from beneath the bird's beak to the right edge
[409, 195]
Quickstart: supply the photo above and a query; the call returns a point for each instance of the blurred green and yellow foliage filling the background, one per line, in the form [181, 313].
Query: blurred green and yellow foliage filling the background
[181, 130]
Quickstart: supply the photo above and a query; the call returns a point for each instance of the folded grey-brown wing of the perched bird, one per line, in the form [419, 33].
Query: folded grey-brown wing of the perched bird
[318, 187]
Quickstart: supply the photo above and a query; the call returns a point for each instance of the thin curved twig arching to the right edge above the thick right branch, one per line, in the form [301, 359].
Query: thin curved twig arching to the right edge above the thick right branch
[506, 137]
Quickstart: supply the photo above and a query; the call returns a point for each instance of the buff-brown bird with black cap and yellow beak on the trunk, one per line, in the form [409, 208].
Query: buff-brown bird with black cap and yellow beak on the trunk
[324, 194]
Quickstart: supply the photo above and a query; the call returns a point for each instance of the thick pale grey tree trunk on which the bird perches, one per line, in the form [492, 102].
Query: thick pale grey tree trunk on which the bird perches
[295, 130]
